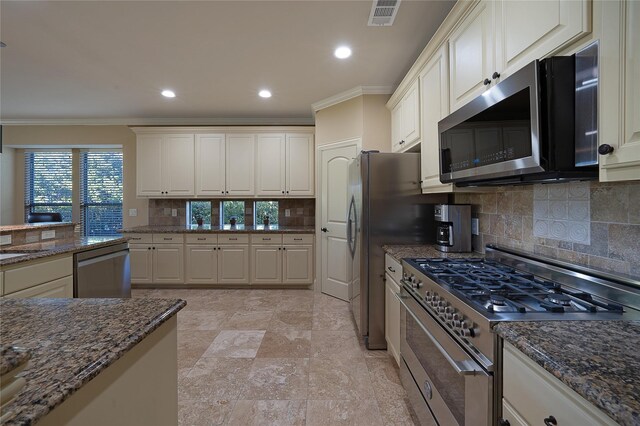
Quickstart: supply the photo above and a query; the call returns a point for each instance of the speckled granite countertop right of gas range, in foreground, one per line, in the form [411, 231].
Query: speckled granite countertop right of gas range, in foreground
[598, 359]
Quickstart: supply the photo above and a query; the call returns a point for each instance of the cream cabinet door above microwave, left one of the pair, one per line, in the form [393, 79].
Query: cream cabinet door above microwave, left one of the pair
[471, 55]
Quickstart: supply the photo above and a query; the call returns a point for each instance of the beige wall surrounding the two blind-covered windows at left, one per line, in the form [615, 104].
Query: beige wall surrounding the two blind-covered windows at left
[76, 136]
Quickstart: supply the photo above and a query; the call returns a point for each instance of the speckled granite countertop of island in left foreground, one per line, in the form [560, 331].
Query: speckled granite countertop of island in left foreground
[71, 341]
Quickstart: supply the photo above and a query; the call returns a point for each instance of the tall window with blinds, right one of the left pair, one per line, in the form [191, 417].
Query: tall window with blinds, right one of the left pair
[100, 192]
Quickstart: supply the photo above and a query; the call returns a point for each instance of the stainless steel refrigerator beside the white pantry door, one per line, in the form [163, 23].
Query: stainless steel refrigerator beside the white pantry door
[385, 207]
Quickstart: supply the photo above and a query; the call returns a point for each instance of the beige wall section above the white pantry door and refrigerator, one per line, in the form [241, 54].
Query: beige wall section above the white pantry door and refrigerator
[364, 117]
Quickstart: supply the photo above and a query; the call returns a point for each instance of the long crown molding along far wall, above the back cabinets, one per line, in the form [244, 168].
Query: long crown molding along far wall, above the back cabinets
[240, 121]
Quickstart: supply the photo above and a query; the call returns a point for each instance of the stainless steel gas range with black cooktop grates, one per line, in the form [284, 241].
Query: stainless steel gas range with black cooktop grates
[451, 359]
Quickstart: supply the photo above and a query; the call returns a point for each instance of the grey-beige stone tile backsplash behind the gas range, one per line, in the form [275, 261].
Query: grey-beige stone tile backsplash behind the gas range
[587, 223]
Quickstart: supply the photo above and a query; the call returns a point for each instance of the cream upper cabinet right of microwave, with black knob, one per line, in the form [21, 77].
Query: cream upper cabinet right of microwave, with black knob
[620, 91]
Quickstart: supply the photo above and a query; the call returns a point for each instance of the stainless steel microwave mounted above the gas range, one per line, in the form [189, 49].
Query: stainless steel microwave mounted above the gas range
[538, 125]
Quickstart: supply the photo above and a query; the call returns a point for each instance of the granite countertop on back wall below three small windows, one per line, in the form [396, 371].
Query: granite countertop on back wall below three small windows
[208, 229]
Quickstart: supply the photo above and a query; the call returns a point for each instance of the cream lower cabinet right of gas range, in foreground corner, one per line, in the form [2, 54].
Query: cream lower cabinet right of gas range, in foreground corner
[531, 395]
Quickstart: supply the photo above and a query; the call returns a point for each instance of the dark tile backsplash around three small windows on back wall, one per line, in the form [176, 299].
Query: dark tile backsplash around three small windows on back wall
[302, 212]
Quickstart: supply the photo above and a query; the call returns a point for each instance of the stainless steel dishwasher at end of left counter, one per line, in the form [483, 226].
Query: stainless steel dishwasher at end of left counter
[102, 272]
